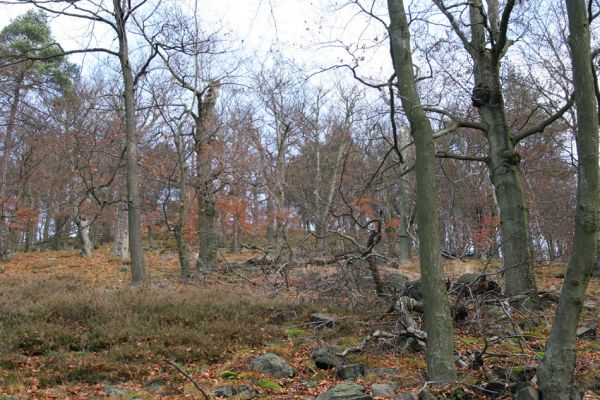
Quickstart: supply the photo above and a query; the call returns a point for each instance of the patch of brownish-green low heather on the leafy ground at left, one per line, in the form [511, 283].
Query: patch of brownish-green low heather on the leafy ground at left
[83, 334]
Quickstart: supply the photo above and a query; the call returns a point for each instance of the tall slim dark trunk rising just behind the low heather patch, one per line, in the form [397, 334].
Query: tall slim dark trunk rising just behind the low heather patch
[138, 269]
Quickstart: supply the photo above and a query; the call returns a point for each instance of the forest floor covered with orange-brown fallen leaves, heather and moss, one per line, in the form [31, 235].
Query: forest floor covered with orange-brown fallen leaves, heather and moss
[74, 328]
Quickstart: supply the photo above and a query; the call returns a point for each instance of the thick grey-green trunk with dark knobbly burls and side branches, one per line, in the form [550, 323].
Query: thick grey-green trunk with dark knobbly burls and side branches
[503, 162]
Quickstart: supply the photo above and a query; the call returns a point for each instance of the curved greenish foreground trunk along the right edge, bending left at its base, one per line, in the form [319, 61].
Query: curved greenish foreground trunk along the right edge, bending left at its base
[555, 372]
